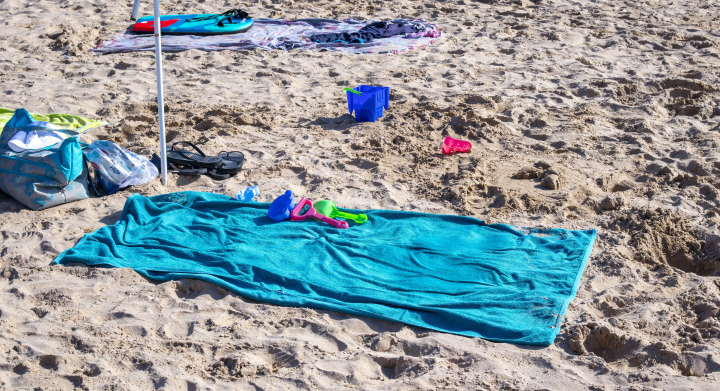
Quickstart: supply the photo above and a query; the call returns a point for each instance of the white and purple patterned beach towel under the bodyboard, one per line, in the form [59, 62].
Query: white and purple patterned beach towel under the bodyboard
[282, 34]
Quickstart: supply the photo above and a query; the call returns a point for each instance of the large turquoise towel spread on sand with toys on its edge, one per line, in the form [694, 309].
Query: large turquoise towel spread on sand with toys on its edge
[448, 273]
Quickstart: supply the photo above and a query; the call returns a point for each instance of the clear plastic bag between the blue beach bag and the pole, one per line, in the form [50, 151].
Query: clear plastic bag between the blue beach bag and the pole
[119, 165]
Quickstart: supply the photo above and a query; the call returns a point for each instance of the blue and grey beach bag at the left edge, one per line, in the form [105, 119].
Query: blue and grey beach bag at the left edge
[44, 177]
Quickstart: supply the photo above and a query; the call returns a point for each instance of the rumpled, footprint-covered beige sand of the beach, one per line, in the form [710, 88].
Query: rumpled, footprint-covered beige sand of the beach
[617, 100]
